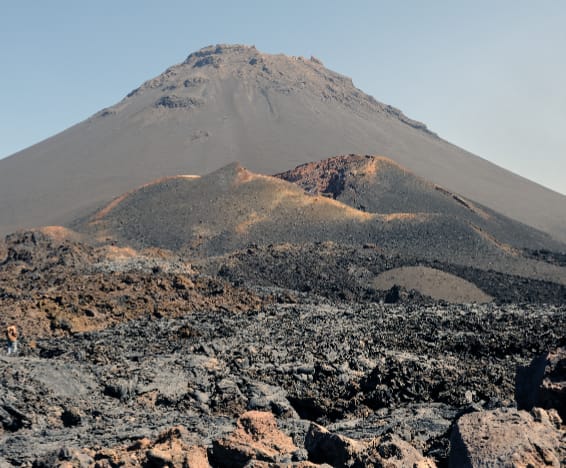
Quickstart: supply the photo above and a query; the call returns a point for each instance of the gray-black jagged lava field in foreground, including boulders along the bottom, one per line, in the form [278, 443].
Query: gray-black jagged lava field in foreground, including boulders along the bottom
[292, 384]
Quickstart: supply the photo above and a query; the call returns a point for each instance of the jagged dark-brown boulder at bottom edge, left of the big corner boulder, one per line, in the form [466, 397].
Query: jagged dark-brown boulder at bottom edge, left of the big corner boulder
[337, 450]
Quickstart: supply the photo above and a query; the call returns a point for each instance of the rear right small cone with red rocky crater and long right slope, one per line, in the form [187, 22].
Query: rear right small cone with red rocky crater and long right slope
[378, 185]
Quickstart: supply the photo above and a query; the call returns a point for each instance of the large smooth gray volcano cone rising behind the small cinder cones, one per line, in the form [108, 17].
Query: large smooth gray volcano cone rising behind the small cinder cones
[271, 113]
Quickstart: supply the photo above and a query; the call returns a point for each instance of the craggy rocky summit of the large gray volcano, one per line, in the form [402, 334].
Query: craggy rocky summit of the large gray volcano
[204, 72]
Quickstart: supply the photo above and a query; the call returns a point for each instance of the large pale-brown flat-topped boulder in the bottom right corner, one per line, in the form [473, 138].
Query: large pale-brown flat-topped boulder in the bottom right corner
[506, 437]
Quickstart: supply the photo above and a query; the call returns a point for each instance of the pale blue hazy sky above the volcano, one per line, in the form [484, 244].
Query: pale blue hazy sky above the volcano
[489, 76]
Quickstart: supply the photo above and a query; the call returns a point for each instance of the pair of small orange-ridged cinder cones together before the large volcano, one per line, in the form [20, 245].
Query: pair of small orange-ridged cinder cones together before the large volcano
[232, 208]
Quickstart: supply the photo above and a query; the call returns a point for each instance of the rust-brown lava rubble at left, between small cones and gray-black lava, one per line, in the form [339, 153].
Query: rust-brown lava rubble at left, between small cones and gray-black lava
[98, 287]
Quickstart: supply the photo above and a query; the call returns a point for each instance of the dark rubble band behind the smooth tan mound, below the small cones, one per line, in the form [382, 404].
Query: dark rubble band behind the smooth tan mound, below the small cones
[347, 273]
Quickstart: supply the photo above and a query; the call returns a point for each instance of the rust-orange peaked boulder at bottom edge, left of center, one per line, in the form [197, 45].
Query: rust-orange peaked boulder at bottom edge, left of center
[256, 437]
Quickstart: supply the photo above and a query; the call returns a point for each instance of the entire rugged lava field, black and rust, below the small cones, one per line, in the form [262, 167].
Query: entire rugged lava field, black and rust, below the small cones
[140, 359]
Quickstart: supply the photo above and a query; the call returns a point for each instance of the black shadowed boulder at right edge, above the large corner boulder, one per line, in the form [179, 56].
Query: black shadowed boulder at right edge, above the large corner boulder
[543, 383]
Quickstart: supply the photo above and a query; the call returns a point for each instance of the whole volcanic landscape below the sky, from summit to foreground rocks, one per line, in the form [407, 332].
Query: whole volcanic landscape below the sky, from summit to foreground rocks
[388, 306]
